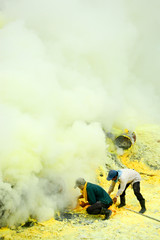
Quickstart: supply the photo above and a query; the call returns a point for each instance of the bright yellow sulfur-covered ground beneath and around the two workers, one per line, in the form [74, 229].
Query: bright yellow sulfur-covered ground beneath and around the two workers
[123, 224]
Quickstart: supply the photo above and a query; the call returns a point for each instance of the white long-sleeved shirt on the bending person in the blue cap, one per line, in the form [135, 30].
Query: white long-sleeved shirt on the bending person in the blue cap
[127, 176]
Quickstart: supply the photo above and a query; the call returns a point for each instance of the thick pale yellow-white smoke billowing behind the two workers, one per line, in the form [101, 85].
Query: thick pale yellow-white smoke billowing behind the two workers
[68, 69]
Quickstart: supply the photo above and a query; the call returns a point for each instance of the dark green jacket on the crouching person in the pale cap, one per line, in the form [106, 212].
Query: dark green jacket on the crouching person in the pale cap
[97, 193]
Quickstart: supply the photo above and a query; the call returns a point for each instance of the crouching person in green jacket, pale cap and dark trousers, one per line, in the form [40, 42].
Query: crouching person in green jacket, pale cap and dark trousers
[95, 196]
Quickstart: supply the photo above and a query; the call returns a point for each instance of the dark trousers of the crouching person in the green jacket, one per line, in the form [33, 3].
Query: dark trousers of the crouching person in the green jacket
[97, 207]
